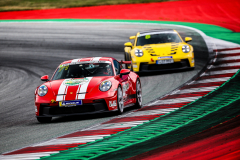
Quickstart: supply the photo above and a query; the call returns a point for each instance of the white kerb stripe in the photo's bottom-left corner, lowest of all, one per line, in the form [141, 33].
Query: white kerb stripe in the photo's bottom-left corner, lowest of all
[26, 156]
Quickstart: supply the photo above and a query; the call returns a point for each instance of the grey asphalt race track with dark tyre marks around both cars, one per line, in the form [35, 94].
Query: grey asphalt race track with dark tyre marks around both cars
[31, 50]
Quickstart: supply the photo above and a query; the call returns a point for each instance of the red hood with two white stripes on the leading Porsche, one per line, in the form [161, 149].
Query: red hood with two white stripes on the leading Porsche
[75, 88]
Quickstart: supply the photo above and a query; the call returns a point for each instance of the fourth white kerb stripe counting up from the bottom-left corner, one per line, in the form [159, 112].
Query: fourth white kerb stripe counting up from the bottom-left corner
[151, 112]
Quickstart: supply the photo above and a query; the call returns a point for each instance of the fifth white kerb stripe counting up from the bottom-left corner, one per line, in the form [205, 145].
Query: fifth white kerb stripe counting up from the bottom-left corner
[175, 100]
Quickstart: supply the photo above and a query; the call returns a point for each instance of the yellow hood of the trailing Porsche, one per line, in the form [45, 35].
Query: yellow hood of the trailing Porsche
[160, 49]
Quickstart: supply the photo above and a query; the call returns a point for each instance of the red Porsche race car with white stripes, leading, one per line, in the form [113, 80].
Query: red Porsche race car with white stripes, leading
[87, 86]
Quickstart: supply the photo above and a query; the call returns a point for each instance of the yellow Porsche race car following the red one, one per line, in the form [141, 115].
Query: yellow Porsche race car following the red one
[159, 50]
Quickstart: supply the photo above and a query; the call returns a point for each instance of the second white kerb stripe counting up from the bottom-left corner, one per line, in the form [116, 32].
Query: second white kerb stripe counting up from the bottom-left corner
[81, 139]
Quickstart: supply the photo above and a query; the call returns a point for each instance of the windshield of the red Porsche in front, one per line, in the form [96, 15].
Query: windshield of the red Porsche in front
[83, 69]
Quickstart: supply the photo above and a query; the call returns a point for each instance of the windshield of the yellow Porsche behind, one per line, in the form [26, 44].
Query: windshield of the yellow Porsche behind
[157, 38]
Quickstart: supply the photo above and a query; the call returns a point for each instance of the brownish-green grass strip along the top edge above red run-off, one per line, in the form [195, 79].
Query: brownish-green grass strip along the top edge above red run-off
[16, 5]
